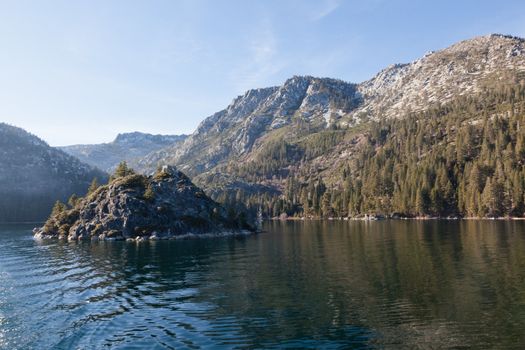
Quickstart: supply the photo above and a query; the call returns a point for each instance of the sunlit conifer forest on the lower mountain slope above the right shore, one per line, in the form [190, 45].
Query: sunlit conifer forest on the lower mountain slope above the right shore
[466, 158]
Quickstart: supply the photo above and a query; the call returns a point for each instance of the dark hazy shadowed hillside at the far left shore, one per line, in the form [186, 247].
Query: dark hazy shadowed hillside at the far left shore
[34, 175]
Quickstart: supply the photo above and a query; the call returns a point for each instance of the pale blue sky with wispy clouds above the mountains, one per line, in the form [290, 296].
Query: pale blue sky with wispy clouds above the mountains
[83, 71]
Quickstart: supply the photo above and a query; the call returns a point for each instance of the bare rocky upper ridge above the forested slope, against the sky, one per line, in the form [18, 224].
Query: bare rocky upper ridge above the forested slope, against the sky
[397, 90]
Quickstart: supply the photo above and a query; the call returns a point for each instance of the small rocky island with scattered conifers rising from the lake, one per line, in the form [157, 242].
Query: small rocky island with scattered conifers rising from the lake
[139, 207]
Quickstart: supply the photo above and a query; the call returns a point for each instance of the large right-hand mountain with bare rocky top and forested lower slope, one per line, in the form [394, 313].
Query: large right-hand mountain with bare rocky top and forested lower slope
[317, 143]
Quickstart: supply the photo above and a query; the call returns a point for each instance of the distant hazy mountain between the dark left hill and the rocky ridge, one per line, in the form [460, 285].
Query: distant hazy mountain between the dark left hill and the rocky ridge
[127, 146]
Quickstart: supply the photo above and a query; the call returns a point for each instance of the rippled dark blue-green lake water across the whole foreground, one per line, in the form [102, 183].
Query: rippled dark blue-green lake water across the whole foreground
[387, 284]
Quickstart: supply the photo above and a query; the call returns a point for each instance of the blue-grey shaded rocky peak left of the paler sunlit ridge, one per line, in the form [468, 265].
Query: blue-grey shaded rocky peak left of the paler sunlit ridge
[316, 103]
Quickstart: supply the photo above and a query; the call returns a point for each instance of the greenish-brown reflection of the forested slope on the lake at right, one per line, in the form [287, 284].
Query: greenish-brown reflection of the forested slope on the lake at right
[413, 281]
